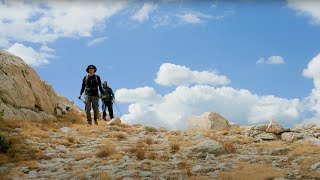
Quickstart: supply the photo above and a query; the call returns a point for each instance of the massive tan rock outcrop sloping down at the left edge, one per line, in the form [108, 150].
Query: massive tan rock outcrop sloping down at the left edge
[24, 96]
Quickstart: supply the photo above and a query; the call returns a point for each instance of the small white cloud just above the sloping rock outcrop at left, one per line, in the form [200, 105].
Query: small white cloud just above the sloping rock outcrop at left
[31, 56]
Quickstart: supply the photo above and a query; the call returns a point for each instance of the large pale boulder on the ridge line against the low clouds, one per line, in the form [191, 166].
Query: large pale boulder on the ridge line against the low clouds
[208, 120]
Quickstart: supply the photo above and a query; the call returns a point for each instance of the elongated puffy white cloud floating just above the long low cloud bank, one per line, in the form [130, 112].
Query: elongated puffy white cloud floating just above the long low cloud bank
[176, 75]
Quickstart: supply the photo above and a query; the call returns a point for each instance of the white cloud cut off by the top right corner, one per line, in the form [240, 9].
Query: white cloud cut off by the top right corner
[308, 8]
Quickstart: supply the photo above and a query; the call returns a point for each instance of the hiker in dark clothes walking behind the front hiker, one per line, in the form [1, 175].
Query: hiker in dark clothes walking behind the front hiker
[107, 100]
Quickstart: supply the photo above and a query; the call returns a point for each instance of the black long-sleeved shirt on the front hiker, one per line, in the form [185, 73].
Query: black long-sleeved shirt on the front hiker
[91, 85]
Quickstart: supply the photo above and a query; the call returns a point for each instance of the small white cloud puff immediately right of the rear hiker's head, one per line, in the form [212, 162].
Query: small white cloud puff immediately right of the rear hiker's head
[143, 95]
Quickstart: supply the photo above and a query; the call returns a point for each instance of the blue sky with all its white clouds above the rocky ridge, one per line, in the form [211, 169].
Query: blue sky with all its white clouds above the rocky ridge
[250, 61]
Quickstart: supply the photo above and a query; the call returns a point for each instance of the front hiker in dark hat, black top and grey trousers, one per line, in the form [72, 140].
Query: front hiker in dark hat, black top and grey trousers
[90, 85]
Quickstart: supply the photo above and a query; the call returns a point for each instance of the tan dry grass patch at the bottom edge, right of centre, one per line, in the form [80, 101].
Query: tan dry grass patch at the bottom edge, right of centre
[252, 171]
